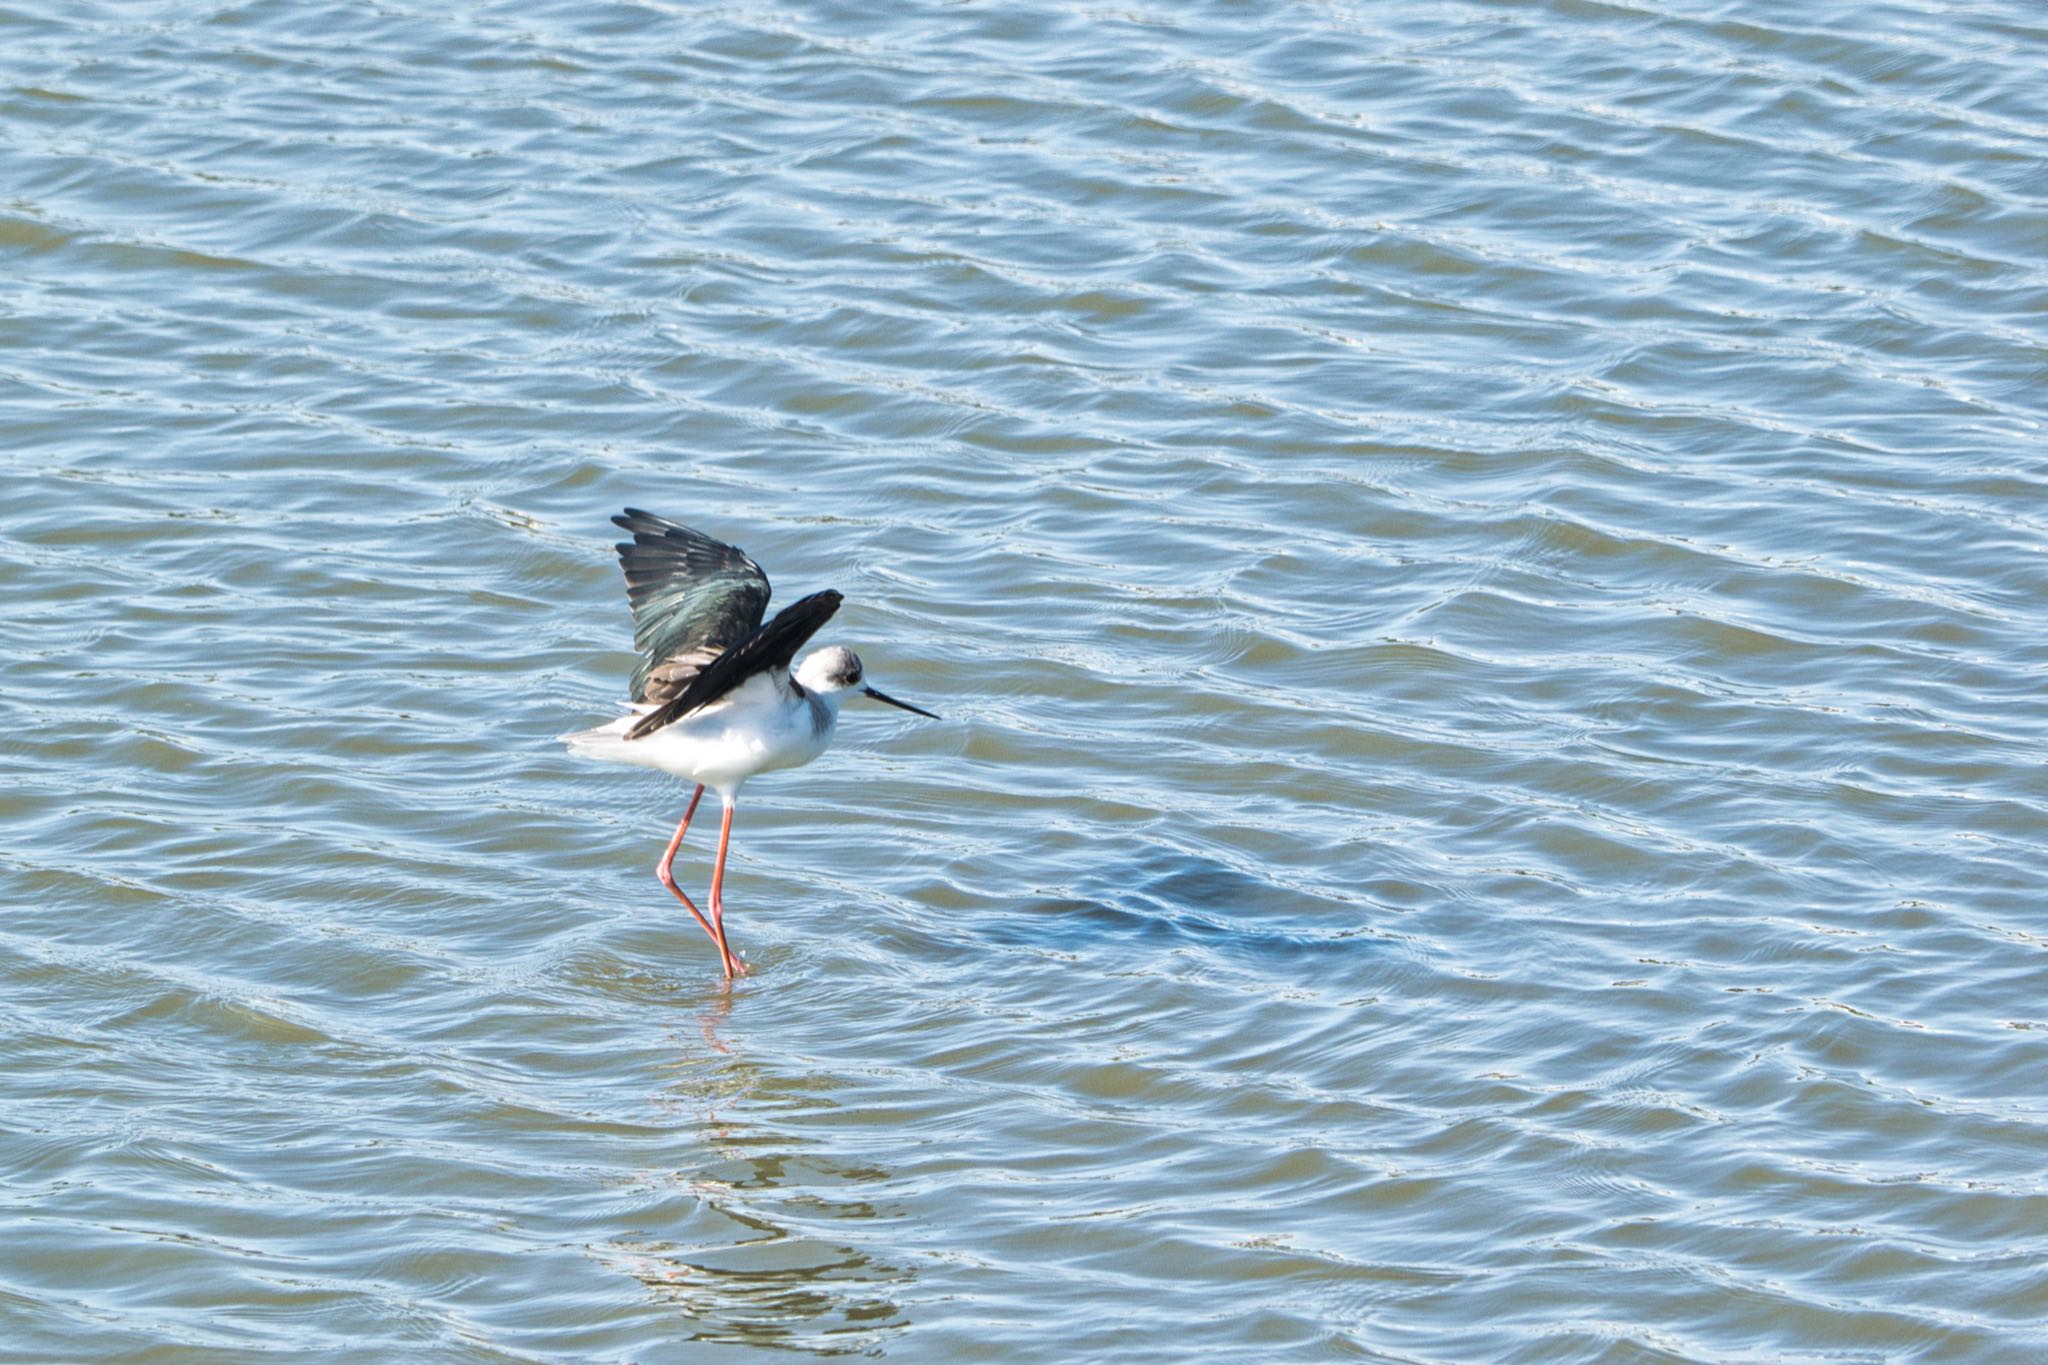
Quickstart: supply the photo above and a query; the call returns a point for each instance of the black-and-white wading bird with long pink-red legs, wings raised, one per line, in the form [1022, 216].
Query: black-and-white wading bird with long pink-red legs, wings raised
[716, 697]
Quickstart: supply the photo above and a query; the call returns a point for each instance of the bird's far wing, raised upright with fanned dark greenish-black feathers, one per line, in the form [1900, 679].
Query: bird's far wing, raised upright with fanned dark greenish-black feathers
[693, 599]
